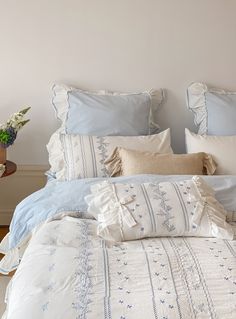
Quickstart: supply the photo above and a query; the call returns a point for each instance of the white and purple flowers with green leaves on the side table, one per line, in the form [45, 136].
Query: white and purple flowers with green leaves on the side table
[9, 130]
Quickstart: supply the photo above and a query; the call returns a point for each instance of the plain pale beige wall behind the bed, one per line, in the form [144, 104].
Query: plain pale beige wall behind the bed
[120, 45]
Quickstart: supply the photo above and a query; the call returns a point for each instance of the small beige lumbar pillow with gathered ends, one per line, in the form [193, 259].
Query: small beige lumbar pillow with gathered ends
[124, 162]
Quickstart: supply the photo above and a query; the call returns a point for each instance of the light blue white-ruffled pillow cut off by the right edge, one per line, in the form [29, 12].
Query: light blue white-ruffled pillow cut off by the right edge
[214, 109]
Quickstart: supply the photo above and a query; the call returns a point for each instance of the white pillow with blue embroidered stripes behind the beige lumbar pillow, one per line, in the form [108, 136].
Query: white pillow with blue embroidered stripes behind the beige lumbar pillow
[76, 156]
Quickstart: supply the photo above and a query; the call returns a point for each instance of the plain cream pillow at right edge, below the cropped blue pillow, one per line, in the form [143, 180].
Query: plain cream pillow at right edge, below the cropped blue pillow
[221, 148]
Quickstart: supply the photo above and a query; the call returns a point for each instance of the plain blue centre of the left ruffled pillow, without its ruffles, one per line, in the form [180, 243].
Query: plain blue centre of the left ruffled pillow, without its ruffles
[90, 114]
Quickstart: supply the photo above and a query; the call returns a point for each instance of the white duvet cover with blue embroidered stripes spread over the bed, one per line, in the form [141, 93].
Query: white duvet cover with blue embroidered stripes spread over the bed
[69, 272]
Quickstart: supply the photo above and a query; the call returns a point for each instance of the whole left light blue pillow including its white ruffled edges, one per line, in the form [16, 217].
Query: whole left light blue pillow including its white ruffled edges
[103, 113]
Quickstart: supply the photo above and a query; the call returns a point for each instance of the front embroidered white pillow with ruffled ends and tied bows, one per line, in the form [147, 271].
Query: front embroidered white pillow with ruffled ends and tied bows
[134, 211]
